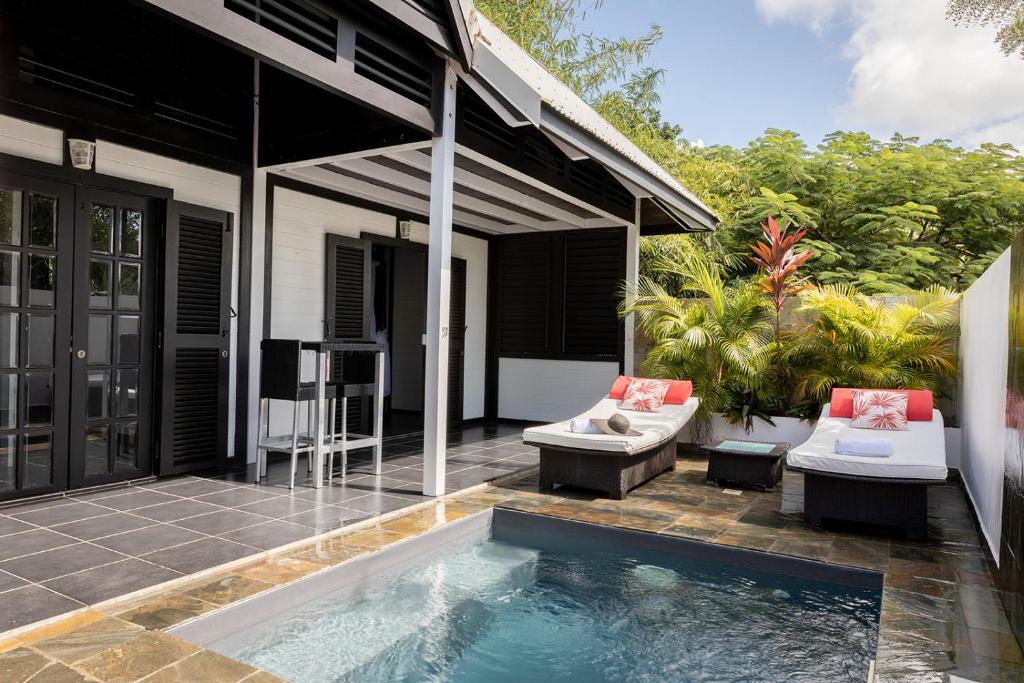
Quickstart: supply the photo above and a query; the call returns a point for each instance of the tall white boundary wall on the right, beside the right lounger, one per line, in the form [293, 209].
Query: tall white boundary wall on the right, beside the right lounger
[984, 352]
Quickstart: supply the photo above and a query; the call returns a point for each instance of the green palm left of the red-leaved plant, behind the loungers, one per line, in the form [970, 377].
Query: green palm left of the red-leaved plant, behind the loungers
[720, 339]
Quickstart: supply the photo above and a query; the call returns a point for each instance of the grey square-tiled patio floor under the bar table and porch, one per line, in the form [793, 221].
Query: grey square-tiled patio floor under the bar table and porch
[63, 554]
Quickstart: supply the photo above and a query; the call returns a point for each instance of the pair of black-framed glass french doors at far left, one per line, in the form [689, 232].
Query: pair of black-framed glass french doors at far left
[76, 286]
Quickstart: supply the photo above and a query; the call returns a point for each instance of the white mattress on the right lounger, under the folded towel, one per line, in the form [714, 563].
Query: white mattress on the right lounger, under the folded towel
[919, 453]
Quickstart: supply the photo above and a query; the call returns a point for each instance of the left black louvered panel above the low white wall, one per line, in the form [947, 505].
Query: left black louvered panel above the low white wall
[524, 286]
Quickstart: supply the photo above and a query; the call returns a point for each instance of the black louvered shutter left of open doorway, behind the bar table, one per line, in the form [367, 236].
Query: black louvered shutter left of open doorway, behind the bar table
[349, 301]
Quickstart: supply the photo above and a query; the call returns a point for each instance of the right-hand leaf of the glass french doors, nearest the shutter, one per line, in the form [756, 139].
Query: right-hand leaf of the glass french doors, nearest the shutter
[111, 354]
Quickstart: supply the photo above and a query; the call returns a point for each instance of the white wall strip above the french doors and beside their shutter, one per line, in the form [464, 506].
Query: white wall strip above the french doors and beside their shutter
[195, 185]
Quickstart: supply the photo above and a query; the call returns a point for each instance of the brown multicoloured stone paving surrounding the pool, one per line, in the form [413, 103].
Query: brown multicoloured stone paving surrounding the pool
[941, 613]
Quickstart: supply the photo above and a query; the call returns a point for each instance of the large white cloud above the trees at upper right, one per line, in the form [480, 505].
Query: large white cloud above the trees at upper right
[916, 72]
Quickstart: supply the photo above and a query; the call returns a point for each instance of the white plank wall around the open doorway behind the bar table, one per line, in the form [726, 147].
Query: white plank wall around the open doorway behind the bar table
[302, 224]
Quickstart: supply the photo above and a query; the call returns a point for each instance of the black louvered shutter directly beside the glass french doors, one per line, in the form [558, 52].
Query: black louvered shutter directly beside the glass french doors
[196, 339]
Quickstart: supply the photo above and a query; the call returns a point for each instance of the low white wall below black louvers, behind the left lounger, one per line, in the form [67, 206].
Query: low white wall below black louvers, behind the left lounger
[551, 391]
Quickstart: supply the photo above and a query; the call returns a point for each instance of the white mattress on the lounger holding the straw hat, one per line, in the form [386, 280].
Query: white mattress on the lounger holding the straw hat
[656, 429]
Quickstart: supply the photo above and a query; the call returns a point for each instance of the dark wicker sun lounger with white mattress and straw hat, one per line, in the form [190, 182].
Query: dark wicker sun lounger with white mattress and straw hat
[609, 463]
